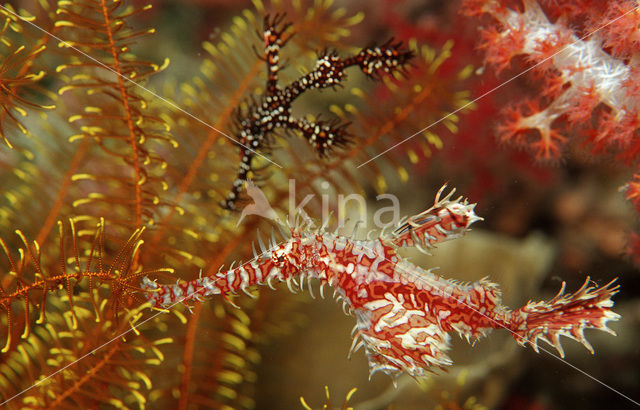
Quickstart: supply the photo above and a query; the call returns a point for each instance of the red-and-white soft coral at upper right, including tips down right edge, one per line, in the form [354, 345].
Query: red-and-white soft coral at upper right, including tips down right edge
[585, 58]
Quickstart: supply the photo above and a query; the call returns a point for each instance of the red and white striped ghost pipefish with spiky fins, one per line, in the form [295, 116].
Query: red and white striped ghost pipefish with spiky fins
[404, 313]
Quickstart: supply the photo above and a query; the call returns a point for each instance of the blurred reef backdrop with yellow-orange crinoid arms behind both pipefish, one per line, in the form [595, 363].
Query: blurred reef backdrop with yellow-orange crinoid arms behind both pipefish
[109, 151]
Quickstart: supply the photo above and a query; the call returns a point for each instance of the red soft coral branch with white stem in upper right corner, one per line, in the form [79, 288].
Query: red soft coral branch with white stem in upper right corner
[587, 74]
